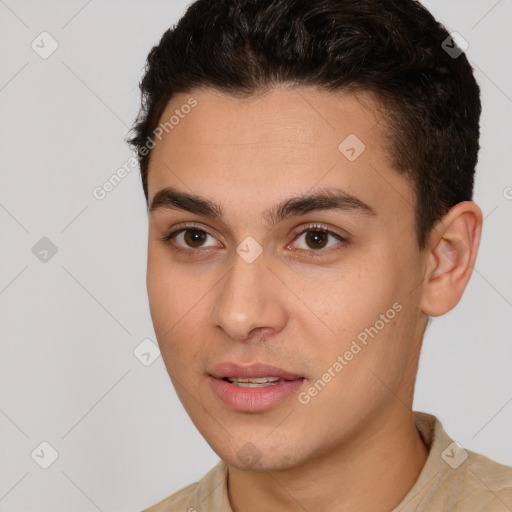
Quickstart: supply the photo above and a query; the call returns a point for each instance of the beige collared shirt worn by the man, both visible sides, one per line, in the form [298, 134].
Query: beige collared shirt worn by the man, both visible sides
[453, 479]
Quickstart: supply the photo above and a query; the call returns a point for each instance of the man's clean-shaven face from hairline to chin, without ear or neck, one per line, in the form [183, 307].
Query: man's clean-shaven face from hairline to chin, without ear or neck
[339, 312]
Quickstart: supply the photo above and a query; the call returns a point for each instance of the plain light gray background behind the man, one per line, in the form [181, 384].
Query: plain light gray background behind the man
[70, 324]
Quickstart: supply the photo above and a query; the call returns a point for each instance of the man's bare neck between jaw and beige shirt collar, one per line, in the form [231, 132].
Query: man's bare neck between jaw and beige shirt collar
[371, 473]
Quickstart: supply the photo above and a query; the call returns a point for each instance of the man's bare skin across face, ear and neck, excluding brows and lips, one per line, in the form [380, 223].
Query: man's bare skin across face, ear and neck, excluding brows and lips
[354, 446]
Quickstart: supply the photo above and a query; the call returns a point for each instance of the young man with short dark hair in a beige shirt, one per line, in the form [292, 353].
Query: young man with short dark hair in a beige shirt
[308, 168]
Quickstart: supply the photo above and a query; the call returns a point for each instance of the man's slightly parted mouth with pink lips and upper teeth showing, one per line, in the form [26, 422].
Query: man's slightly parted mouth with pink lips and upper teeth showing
[253, 388]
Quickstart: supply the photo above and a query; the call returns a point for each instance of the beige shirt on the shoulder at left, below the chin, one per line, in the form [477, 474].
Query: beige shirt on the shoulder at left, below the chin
[210, 493]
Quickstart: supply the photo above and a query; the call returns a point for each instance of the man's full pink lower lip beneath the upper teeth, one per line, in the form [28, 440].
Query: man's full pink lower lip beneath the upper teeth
[254, 399]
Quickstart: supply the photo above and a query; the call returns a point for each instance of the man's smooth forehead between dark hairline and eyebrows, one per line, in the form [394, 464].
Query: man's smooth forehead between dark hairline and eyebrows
[285, 140]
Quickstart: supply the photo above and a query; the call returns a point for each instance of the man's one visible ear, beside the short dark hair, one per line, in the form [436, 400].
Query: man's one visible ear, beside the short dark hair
[453, 247]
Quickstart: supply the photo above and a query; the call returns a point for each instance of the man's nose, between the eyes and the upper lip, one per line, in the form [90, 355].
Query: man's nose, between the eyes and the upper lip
[249, 301]
